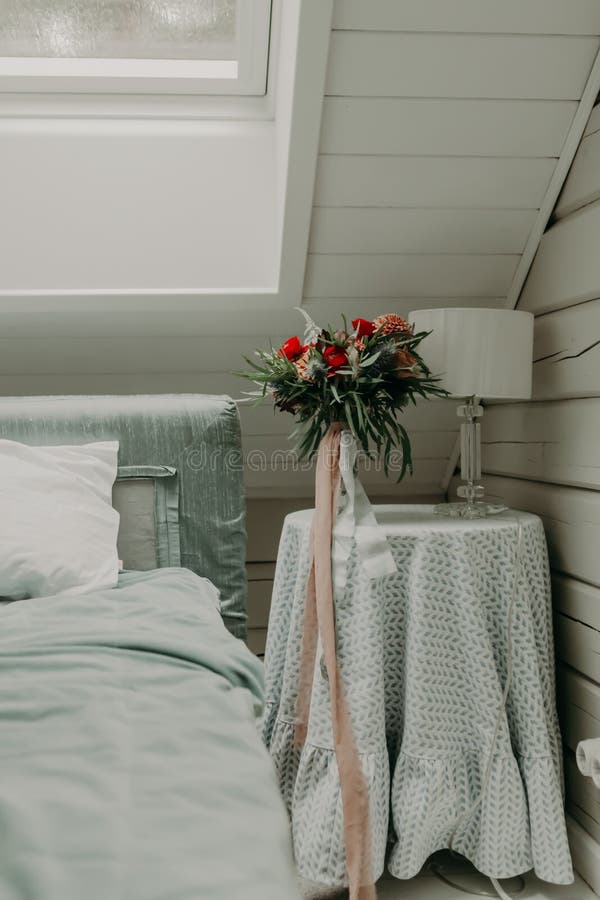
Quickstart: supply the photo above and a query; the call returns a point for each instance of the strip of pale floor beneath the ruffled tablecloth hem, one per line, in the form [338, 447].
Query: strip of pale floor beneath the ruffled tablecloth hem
[427, 886]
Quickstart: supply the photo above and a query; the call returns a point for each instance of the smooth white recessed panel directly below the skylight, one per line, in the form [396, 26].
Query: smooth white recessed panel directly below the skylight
[117, 205]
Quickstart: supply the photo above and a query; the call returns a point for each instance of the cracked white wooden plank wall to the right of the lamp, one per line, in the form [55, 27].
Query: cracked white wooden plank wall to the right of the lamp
[543, 456]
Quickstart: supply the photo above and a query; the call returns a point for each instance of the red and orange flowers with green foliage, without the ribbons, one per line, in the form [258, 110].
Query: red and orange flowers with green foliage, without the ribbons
[359, 378]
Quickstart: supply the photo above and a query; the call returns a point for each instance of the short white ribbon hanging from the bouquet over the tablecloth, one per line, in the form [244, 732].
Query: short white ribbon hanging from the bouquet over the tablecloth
[356, 520]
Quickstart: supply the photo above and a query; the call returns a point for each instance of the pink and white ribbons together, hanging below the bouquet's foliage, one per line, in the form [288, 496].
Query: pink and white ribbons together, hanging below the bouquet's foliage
[335, 464]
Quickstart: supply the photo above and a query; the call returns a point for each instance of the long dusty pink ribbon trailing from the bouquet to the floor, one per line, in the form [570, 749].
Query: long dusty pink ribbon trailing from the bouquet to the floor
[319, 620]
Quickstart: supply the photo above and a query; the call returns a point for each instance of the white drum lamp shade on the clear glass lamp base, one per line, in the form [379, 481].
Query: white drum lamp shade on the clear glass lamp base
[486, 353]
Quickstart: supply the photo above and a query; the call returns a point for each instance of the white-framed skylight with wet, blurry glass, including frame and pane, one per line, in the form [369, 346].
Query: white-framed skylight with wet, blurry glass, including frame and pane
[135, 46]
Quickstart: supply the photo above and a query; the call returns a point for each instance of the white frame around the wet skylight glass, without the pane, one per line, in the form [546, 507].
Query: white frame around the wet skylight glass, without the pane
[246, 76]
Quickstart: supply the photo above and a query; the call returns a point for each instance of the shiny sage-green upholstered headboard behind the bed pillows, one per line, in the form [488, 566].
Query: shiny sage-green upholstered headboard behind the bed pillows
[197, 435]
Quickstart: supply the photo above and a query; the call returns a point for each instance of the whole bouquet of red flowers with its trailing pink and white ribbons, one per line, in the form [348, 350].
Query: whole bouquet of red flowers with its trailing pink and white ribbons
[346, 388]
